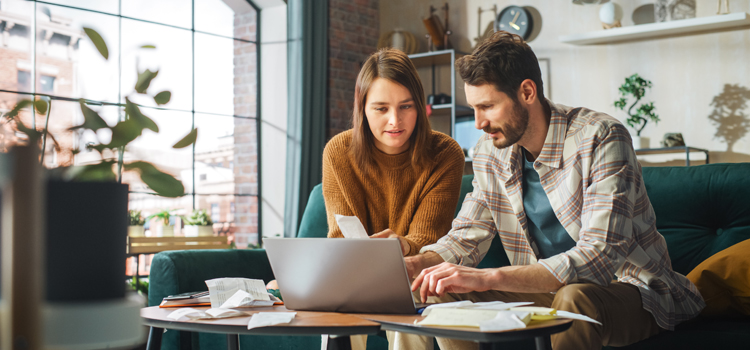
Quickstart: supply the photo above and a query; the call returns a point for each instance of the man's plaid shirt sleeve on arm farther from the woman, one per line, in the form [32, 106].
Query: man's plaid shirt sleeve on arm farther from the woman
[609, 194]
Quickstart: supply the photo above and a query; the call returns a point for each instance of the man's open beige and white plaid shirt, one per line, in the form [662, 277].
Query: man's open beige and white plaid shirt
[593, 181]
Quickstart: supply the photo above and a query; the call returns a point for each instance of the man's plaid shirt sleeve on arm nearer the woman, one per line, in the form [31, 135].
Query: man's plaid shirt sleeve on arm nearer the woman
[472, 232]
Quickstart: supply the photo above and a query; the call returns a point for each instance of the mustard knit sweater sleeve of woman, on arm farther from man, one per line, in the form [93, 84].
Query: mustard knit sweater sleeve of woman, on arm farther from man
[335, 199]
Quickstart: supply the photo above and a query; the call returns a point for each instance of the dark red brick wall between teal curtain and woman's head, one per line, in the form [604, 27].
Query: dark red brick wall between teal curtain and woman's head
[353, 30]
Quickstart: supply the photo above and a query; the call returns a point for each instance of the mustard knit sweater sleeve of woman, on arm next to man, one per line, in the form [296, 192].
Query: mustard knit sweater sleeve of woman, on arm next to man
[433, 218]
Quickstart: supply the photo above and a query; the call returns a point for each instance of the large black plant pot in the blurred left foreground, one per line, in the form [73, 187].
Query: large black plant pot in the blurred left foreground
[87, 226]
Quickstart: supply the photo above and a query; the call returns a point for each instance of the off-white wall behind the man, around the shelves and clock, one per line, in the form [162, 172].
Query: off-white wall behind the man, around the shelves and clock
[687, 72]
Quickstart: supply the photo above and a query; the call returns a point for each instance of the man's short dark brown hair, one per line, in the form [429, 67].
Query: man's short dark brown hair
[503, 60]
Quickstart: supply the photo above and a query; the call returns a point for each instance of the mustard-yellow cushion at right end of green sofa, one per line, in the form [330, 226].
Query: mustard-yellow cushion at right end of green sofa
[724, 281]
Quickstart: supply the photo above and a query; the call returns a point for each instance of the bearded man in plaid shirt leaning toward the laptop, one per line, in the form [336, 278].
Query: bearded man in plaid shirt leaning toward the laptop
[563, 189]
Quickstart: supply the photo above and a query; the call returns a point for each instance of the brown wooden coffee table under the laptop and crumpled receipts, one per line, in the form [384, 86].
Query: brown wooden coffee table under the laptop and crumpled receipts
[305, 323]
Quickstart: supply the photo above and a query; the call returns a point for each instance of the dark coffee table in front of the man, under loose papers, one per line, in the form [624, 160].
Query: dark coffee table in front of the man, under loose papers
[540, 331]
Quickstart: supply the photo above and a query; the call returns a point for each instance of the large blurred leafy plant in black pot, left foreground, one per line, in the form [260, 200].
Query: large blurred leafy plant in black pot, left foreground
[86, 204]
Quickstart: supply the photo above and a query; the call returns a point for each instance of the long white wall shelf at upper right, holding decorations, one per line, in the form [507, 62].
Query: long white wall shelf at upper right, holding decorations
[652, 30]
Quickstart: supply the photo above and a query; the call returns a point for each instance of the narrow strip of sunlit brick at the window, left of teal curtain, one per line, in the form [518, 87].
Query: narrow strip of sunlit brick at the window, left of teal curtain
[245, 133]
